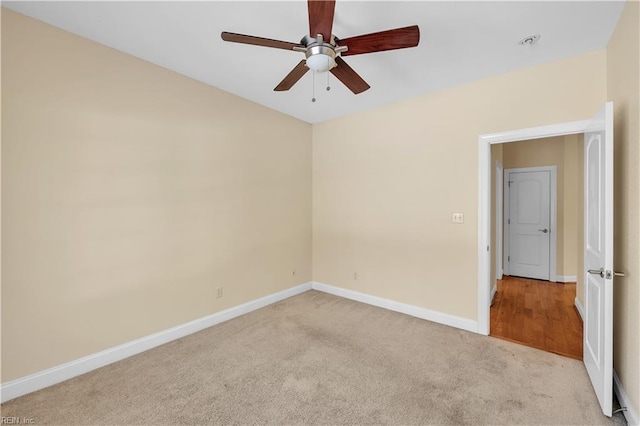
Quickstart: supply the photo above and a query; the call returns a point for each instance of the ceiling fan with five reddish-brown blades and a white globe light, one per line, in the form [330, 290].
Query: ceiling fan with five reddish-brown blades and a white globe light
[323, 51]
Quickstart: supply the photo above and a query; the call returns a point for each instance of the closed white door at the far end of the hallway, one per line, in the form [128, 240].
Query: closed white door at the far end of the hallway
[529, 223]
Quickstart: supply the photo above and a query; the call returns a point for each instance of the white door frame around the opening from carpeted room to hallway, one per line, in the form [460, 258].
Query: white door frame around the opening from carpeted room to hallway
[484, 201]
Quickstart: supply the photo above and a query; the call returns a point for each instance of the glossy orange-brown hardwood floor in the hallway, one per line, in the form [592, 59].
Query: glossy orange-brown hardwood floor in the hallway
[539, 314]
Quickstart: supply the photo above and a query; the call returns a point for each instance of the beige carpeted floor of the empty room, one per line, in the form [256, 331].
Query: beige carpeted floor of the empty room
[321, 359]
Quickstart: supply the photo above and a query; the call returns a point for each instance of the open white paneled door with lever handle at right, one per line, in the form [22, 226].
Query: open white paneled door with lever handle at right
[598, 254]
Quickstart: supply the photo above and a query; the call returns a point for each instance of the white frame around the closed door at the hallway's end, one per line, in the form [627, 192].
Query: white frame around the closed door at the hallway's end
[553, 216]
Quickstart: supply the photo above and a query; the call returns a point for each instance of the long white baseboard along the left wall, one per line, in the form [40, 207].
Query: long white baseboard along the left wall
[60, 373]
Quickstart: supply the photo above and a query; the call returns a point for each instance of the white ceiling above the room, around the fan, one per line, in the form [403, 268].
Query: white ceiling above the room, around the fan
[460, 42]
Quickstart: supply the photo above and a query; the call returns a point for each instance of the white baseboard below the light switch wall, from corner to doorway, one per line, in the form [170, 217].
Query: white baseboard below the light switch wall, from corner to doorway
[415, 311]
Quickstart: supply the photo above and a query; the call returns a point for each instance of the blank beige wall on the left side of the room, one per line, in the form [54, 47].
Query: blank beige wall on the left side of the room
[130, 193]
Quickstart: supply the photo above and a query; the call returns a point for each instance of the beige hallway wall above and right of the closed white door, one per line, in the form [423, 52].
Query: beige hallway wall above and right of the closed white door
[561, 152]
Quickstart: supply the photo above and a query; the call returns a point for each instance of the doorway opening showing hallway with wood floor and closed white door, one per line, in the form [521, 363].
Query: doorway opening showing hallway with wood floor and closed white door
[534, 303]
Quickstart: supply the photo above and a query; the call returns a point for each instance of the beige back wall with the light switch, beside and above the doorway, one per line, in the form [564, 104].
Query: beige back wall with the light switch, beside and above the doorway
[386, 181]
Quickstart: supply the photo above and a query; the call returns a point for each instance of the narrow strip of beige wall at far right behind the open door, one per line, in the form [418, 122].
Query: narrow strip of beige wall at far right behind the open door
[623, 88]
